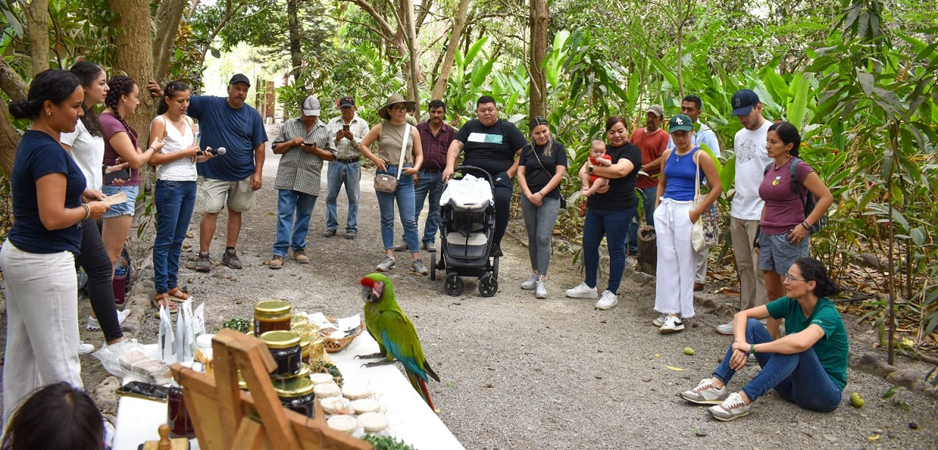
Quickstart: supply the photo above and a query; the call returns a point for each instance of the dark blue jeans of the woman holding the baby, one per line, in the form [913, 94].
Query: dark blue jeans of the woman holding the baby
[608, 223]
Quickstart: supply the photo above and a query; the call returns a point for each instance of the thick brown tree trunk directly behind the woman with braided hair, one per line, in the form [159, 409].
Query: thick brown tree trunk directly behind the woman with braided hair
[135, 57]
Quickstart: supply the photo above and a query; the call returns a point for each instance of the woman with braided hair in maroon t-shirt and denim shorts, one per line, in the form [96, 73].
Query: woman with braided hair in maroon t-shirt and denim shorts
[120, 145]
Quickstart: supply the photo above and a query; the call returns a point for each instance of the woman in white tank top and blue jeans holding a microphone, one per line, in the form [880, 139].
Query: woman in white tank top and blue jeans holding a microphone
[175, 189]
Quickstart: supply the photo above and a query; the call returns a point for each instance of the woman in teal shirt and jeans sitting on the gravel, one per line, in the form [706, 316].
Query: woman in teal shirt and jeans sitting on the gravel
[807, 367]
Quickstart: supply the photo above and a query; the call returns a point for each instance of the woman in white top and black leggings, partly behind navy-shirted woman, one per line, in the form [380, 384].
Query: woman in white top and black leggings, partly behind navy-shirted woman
[86, 146]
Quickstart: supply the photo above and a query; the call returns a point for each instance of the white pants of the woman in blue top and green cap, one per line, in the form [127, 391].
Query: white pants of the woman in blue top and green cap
[674, 290]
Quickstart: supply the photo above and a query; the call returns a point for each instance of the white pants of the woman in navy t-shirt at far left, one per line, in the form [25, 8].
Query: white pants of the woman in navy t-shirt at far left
[42, 323]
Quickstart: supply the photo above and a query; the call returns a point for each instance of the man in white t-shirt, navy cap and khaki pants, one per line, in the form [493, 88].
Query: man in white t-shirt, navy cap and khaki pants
[746, 210]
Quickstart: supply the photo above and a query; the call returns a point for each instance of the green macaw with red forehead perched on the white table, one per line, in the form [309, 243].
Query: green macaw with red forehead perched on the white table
[394, 333]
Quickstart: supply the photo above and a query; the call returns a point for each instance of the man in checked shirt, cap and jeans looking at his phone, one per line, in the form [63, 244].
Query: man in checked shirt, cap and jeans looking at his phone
[303, 144]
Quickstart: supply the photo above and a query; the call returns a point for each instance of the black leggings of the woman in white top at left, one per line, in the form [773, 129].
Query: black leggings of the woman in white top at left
[97, 264]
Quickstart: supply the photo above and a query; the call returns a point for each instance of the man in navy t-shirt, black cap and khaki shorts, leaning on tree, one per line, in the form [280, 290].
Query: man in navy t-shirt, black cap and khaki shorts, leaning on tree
[232, 178]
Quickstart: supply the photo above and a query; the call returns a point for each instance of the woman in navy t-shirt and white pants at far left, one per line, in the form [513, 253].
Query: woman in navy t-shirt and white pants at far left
[38, 257]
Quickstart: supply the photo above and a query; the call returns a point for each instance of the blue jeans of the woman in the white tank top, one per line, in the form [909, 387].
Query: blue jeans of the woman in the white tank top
[174, 202]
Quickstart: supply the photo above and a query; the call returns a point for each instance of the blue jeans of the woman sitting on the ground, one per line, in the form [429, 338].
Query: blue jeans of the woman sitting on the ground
[799, 378]
